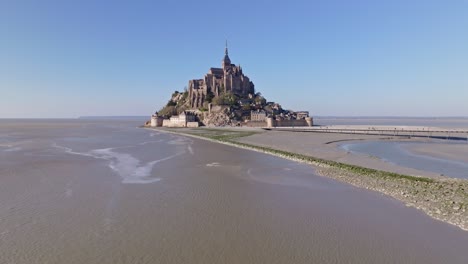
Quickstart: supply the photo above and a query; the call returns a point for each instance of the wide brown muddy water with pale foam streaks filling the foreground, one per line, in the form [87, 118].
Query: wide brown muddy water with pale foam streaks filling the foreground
[107, 192]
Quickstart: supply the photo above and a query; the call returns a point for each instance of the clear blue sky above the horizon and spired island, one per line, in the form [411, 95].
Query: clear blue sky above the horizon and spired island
[70, 58]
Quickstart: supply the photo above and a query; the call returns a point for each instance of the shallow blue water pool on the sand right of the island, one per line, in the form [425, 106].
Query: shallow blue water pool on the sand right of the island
[398, 153]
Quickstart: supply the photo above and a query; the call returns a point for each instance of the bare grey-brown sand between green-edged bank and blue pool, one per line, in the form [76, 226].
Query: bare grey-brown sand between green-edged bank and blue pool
[324, 145]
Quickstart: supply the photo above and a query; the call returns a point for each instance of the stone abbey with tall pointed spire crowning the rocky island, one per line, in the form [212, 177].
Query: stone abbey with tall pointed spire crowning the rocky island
[219, 81]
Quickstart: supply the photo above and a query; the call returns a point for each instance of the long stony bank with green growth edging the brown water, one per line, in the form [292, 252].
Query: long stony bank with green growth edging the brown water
[442, 198]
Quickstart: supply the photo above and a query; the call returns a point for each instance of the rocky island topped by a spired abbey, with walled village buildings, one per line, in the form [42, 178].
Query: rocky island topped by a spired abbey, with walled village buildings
[225, 97]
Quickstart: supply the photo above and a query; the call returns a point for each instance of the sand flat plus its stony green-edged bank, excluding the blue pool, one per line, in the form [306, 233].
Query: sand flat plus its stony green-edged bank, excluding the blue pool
[440, 197]
